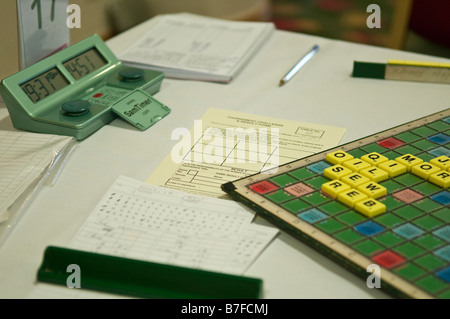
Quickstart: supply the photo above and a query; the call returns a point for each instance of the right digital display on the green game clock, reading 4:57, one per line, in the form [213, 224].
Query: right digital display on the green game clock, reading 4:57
[84, 63]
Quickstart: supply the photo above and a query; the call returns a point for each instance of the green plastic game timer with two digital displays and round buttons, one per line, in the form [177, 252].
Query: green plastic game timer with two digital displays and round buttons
[72, 92]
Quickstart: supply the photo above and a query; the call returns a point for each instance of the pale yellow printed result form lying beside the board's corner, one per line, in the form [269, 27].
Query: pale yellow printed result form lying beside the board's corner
[226, 145]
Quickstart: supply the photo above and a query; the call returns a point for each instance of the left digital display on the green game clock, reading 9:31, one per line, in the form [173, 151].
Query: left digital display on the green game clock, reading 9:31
[44, 85]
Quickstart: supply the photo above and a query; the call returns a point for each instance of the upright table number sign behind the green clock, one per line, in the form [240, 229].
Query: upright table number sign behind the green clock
[42, 29]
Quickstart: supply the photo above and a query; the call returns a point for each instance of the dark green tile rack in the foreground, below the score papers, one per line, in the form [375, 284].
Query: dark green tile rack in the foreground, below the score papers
[143, 279]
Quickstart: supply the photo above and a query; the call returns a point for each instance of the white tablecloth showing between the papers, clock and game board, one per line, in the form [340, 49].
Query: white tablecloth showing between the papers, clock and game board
[323, 92]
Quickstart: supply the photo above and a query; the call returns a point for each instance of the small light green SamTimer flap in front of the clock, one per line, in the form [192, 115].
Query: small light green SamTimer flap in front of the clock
[140, 109]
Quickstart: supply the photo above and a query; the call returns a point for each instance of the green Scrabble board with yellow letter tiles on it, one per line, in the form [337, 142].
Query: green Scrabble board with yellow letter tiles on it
[382, 200]
